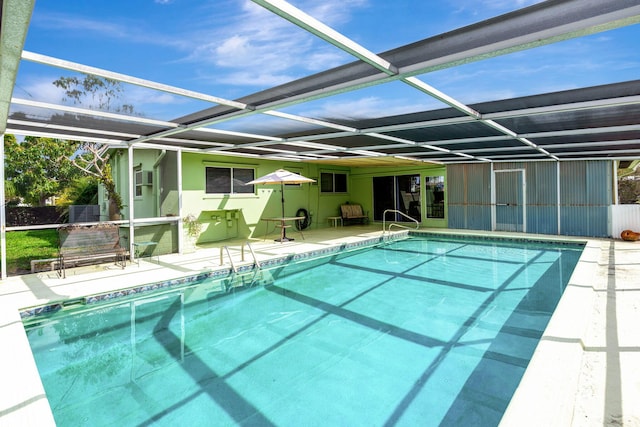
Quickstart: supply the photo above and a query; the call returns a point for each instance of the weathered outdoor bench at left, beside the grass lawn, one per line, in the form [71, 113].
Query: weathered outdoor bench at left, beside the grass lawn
[89, 243]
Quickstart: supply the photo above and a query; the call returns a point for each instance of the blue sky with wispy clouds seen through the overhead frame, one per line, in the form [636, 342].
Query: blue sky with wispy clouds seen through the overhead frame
[231, 48]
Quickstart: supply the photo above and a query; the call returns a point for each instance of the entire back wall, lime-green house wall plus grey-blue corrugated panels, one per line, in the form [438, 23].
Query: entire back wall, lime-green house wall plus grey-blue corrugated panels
[569, 198]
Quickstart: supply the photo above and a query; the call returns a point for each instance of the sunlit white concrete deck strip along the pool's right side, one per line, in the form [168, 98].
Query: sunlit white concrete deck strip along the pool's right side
[586, 369]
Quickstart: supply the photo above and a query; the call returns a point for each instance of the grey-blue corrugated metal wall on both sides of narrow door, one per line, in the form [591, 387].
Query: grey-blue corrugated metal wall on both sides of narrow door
[584, 199]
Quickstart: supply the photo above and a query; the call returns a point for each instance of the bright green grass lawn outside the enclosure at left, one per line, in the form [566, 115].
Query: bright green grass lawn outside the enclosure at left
[23, 246]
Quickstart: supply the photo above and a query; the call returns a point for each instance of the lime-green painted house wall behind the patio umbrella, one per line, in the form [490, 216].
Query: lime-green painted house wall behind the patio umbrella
[226, 216]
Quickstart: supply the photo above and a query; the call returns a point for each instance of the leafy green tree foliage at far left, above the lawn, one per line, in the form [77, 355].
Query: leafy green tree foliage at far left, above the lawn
[33, 169]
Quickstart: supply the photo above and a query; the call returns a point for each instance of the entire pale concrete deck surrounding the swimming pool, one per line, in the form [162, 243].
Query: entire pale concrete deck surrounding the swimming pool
[584, 371]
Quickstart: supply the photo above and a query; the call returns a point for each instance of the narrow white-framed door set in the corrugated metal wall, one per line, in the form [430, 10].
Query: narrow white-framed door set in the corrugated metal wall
[510, 211]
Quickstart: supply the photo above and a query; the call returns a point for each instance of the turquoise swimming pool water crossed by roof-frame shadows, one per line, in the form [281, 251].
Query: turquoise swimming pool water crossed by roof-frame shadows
[416, 332]
